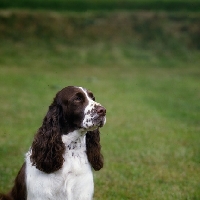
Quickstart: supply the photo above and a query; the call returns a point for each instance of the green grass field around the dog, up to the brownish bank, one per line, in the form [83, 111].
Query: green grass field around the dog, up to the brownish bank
[151, 142]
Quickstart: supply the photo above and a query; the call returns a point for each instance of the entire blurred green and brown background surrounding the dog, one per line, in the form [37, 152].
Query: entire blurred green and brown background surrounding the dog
[141, 59]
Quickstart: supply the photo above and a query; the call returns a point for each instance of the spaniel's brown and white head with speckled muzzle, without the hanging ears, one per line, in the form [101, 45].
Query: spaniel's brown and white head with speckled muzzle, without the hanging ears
[79, 110]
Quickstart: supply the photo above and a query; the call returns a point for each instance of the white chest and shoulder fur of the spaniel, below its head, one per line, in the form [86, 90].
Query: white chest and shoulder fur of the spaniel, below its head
[74, 181]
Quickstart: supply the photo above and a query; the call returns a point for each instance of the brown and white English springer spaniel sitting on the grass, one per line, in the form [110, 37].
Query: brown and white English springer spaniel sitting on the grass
[66, 147]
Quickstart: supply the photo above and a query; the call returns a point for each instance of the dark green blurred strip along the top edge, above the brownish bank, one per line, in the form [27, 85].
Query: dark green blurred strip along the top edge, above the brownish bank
[85, 5]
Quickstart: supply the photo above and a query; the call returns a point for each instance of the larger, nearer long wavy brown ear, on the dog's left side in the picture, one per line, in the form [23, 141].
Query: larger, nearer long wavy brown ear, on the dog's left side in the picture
[47, 147]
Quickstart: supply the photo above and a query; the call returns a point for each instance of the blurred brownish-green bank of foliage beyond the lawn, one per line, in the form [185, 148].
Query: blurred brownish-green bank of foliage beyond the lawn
[147, 29]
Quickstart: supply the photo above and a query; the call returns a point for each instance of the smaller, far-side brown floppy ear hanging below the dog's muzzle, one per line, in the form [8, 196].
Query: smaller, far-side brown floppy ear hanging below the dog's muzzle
[94, 149]
